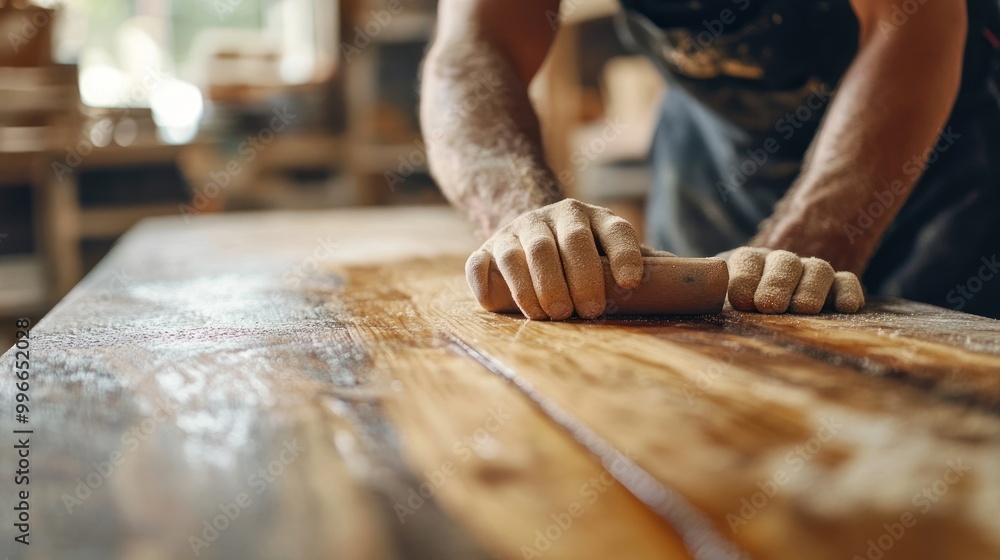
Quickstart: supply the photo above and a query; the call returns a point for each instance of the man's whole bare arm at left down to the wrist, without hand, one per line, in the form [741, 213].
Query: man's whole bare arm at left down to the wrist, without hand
[483, 140]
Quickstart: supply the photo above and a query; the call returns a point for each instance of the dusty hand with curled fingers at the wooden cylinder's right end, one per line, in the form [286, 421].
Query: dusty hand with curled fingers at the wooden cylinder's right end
[778, 281]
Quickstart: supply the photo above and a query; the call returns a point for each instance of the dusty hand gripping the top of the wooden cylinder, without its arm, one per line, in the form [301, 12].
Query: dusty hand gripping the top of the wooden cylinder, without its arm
[550, 259]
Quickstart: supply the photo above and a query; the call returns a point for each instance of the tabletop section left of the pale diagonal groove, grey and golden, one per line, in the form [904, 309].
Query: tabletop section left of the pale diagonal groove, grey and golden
[228, 325]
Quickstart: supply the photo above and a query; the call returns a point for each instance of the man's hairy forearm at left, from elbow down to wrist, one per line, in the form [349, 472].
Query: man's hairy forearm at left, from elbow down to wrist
[483, 140]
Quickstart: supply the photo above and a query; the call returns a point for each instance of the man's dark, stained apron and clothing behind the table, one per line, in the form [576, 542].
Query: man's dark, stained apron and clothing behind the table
[748, 84]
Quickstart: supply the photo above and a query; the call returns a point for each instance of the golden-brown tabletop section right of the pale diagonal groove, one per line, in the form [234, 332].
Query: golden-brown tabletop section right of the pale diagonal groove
[721, 402]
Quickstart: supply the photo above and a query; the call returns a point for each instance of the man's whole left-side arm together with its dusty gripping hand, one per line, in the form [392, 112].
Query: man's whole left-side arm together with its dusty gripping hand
[485, 151]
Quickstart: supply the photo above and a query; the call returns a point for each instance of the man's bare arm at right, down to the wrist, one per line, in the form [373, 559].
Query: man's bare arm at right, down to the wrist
[889, 108]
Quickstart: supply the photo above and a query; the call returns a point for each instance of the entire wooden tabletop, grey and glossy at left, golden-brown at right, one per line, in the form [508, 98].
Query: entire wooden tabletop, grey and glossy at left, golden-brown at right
[322, 385]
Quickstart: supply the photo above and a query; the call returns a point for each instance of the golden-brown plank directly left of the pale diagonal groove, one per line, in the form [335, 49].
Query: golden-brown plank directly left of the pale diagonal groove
[511, 478]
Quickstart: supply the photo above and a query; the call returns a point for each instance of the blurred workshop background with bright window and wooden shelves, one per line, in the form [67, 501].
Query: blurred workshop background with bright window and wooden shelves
[116, 110]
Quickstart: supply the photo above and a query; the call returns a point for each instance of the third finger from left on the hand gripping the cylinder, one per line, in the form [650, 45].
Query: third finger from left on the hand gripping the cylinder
[546, 270]
